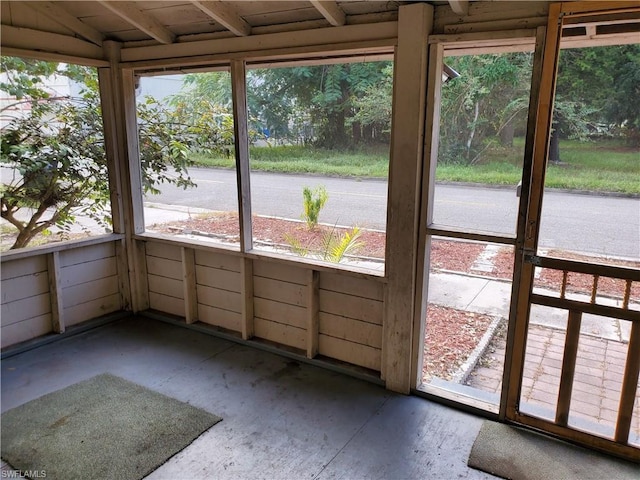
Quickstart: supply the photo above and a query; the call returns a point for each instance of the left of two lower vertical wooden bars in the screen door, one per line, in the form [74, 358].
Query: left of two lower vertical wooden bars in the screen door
[568, 367]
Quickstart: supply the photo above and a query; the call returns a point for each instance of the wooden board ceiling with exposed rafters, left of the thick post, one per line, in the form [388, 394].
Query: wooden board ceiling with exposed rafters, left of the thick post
[166, 22]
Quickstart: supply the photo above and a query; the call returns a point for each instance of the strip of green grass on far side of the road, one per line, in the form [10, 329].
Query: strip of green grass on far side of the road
[594, 166]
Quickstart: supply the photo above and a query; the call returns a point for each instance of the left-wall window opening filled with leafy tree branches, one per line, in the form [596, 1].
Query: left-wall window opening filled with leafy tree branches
[54, 171]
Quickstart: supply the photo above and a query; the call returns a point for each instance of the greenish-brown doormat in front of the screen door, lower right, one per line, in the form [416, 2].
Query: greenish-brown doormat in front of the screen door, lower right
[519, 454]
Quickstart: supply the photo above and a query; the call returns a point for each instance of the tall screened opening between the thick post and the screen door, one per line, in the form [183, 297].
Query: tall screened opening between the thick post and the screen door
[472, 228]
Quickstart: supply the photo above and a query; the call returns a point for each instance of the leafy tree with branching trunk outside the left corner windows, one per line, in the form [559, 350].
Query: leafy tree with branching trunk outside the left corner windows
[55, 150]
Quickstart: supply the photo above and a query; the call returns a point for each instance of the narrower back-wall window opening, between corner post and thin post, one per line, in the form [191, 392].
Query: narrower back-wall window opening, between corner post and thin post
[186, 141]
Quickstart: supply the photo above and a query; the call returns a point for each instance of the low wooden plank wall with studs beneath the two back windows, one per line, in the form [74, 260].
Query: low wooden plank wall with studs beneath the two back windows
[310, 309]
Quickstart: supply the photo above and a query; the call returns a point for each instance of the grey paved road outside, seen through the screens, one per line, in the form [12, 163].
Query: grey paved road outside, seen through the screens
[605, 225]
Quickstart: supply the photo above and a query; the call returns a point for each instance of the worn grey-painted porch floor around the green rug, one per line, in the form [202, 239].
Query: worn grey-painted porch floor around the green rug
[281, 419]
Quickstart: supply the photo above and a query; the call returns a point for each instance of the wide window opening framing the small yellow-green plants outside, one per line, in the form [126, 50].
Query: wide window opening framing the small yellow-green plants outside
[319, 159]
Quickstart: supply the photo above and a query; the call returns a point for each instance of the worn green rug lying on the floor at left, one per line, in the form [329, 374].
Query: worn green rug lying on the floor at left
[101, 428]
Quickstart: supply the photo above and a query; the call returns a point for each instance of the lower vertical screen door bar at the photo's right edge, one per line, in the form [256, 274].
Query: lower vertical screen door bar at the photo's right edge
[629, 386]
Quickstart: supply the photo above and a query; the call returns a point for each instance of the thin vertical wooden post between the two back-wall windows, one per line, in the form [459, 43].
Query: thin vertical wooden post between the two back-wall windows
[241, 130]
